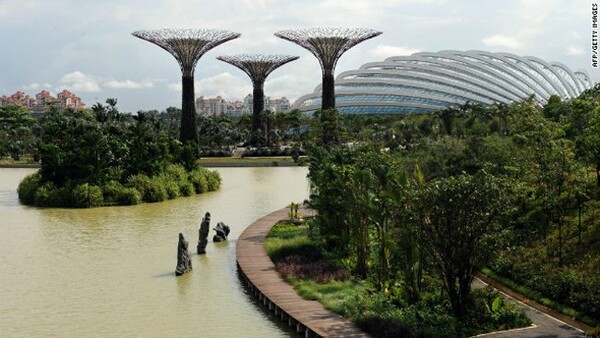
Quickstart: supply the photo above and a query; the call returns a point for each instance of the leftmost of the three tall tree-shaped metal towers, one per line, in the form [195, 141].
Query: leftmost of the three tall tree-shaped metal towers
[187, 46]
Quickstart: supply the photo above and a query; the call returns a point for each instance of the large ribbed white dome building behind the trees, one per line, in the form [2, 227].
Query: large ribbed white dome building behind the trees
[428, 82]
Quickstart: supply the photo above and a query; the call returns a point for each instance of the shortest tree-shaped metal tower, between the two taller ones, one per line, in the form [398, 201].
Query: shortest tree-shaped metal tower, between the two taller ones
[258, 67]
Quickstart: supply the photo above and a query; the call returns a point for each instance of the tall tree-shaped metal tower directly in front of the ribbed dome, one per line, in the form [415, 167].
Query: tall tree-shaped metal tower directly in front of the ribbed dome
[327, 44]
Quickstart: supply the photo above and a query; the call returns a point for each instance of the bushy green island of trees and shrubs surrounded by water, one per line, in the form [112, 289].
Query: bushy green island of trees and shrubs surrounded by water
[103, 157]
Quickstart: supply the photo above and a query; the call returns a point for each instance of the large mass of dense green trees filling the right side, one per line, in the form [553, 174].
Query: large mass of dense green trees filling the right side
[416, 205]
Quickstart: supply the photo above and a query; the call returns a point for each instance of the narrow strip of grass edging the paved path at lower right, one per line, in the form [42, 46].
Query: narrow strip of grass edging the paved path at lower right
[536, 296]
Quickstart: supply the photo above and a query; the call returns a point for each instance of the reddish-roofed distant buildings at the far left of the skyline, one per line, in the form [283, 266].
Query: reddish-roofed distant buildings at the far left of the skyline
[43, 100]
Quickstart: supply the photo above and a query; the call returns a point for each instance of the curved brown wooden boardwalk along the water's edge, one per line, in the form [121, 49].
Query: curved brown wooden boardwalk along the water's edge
[258, 271]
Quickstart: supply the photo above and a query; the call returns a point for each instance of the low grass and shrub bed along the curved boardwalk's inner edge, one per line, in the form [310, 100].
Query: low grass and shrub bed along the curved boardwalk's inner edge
[316, 277]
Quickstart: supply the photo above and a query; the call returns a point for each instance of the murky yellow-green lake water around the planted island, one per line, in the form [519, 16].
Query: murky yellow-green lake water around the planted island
[109, 272]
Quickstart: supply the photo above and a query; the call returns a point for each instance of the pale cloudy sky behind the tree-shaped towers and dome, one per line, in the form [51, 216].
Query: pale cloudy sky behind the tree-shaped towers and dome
[86, 46]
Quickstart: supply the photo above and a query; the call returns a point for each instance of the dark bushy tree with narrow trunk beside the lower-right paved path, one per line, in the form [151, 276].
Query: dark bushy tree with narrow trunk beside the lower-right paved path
[459, 217]
